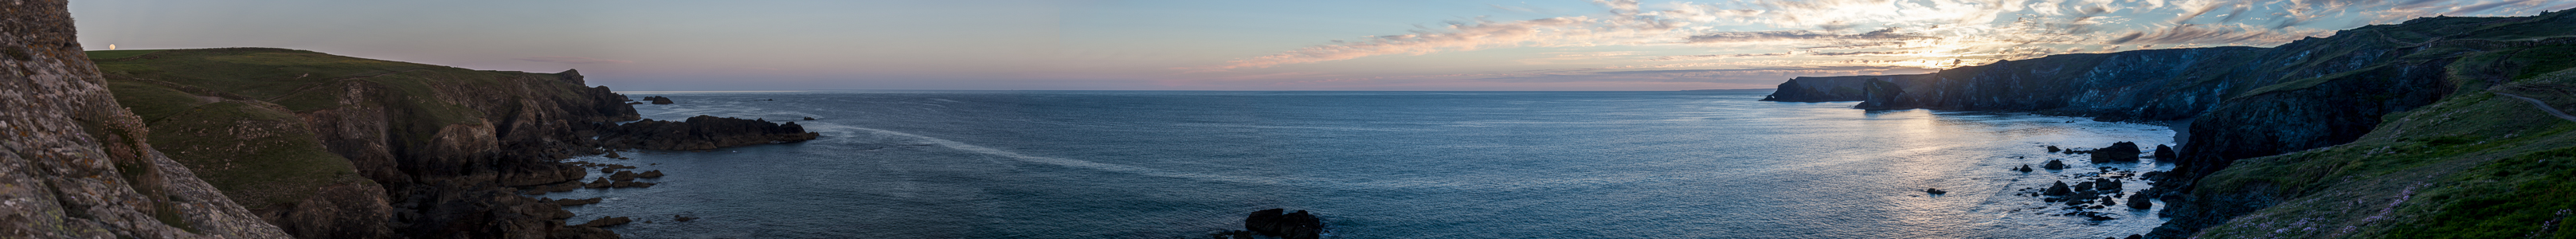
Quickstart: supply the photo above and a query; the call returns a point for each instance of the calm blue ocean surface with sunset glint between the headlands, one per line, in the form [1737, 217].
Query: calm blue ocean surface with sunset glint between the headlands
[1374, 166]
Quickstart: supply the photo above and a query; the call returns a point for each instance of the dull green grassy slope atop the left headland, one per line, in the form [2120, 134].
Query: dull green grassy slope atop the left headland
[231, 114]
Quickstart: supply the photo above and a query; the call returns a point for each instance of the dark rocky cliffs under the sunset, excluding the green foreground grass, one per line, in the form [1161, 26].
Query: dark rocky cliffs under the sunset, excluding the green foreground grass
[2242, 102]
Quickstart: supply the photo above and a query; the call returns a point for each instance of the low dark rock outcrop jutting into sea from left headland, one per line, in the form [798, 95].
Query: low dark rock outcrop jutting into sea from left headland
[702, 132]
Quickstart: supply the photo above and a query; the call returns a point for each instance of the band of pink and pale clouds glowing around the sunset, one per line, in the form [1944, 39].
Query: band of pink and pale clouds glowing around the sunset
[1908, 32]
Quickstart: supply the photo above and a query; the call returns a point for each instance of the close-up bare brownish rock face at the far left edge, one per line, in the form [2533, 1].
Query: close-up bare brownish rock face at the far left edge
[79, 163]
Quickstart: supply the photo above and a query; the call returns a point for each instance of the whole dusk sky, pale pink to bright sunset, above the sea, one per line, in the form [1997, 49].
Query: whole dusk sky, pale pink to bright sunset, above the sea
[1233, 45]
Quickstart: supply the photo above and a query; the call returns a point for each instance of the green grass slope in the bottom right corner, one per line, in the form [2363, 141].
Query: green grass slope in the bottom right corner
[2428, 173]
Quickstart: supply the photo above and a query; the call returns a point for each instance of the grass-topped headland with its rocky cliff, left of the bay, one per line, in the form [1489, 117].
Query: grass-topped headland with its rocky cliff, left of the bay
[344, 148]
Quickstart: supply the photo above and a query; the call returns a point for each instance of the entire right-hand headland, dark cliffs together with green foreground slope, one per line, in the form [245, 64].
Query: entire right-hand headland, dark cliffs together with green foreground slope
[2430, 99]
